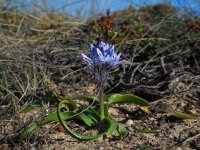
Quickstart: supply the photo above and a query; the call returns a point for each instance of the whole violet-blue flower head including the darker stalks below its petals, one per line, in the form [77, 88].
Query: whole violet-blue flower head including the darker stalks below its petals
[102, 60]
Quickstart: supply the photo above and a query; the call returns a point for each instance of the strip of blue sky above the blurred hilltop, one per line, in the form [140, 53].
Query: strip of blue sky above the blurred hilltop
[83, 9]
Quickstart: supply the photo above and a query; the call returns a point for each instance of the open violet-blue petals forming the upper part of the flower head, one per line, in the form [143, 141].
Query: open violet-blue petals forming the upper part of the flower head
[102, 55]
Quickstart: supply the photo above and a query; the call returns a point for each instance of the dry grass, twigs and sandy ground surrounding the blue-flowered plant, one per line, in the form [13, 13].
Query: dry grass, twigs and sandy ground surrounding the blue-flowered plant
[162, 64]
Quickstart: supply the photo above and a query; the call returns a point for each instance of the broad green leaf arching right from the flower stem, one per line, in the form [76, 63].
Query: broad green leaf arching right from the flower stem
[127, 98]
